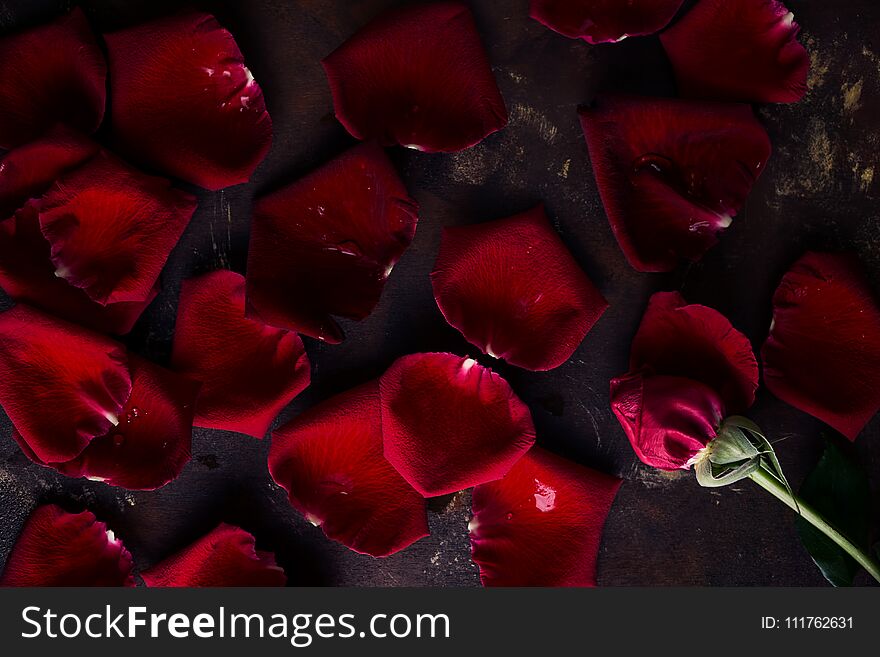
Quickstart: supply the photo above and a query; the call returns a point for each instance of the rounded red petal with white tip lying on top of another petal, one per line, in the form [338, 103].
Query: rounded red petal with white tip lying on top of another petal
[449, 423]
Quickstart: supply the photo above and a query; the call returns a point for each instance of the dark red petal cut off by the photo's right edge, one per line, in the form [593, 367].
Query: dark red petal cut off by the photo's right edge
[823, 352]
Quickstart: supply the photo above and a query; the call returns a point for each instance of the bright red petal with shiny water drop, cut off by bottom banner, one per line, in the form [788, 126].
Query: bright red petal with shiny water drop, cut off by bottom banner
[542, 524]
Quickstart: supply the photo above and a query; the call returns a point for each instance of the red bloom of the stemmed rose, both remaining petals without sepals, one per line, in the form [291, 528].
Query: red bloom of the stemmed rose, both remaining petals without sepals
[689, 368]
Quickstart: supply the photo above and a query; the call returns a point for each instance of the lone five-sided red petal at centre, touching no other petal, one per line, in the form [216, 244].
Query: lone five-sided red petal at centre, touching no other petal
[512, 288]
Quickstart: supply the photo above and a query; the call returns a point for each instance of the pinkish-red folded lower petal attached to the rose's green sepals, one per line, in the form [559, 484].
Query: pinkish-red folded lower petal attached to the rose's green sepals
[667, 419]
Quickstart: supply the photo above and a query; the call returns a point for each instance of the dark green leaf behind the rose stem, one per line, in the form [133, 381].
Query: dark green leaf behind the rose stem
[838, 488]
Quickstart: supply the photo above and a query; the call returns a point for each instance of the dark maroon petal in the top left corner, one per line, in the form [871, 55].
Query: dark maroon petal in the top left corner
[52, 73]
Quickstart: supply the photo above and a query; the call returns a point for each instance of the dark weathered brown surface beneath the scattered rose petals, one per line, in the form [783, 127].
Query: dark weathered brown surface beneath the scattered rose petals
[820, 191]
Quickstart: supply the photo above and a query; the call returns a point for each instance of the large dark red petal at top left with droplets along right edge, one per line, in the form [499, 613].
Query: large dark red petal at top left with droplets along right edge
[184, 102]
